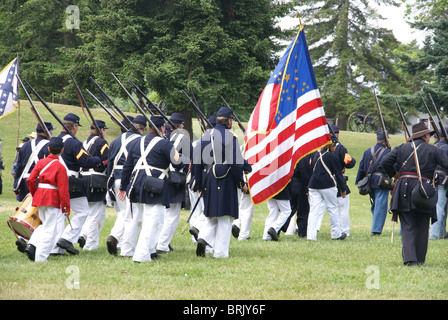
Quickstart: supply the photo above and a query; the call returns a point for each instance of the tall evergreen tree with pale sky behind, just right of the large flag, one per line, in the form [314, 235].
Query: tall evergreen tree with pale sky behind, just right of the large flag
[350, 54]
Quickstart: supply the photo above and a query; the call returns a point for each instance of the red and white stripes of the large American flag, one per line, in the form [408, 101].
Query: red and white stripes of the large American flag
[274, 149]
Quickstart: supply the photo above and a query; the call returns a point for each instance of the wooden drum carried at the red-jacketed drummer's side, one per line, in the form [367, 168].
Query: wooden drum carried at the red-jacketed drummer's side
[25, 220]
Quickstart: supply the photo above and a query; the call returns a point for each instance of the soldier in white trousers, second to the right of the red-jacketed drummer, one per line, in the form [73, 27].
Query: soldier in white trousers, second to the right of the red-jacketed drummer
[95, 181]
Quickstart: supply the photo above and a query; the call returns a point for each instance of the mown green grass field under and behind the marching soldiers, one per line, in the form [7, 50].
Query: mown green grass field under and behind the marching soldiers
[359, 268]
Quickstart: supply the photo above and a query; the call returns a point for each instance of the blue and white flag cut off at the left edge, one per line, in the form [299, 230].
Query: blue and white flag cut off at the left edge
[9, 101]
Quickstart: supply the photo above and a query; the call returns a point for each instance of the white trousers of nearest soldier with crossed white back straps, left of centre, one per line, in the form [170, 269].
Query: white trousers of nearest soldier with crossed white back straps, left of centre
[152, 221]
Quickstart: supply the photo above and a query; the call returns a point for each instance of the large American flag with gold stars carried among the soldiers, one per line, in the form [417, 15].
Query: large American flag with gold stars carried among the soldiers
[287, 123]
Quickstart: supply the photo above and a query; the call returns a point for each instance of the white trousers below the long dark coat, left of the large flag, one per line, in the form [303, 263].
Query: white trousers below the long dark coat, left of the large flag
[217, 232]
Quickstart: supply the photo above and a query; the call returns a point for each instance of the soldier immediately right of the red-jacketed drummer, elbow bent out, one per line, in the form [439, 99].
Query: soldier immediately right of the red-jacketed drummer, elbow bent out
[74, 157]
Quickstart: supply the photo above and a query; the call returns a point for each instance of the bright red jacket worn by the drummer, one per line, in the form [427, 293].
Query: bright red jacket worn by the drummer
[55, 175]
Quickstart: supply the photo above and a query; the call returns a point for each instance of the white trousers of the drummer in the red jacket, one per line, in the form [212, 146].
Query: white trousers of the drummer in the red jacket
[44, 238]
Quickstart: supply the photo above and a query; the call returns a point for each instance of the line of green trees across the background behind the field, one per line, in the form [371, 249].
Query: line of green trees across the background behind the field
[225, 48]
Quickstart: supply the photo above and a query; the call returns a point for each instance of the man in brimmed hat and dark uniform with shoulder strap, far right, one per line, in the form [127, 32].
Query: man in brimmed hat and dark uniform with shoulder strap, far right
[413, 164]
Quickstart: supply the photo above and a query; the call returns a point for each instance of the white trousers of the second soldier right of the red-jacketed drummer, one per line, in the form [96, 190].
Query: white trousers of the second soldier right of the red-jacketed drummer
[94, 224]
